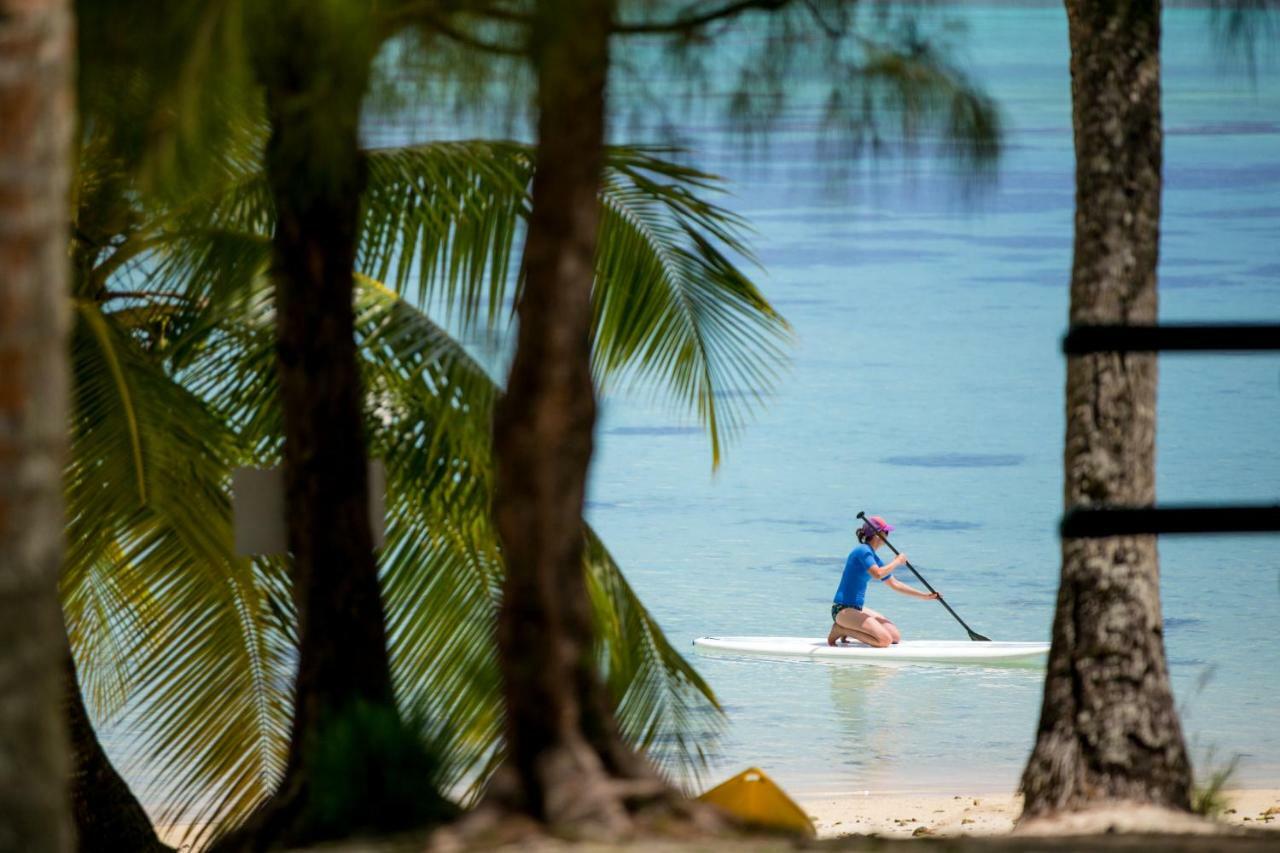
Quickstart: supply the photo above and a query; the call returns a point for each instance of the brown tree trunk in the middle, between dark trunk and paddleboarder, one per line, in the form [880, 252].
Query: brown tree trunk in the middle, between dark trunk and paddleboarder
[563, 740]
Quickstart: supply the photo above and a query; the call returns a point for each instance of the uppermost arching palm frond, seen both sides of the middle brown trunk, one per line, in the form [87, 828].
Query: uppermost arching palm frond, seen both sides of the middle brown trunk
[673, 308]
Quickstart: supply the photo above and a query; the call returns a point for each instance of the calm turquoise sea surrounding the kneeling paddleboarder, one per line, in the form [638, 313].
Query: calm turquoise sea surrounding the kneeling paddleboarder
[927, 386]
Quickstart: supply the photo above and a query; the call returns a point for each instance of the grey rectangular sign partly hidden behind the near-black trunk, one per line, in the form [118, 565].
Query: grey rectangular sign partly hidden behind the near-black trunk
[259, 513]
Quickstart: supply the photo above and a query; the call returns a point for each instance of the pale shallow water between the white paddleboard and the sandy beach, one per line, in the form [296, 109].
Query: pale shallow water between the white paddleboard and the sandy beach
[821, 727]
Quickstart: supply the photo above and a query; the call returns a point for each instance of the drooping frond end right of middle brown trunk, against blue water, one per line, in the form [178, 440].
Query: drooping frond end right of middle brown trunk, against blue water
[671, 305]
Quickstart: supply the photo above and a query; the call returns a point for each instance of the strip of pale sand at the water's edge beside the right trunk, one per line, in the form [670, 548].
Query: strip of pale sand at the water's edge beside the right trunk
[984, 814]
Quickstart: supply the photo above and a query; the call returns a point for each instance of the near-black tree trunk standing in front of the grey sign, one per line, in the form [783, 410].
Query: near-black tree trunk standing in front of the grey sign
[314, 63]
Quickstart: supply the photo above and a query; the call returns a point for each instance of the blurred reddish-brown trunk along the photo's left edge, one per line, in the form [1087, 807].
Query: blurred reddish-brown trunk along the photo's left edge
[38, 116]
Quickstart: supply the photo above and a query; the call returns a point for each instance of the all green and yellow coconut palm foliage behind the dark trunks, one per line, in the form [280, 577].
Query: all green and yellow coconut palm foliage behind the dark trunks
[190, 647]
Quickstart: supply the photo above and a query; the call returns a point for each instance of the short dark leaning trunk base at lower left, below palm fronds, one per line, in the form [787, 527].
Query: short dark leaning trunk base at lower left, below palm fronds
[108, 816]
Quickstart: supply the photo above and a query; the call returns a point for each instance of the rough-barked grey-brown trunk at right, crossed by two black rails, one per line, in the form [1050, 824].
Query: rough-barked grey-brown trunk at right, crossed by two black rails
[1109, 728]
